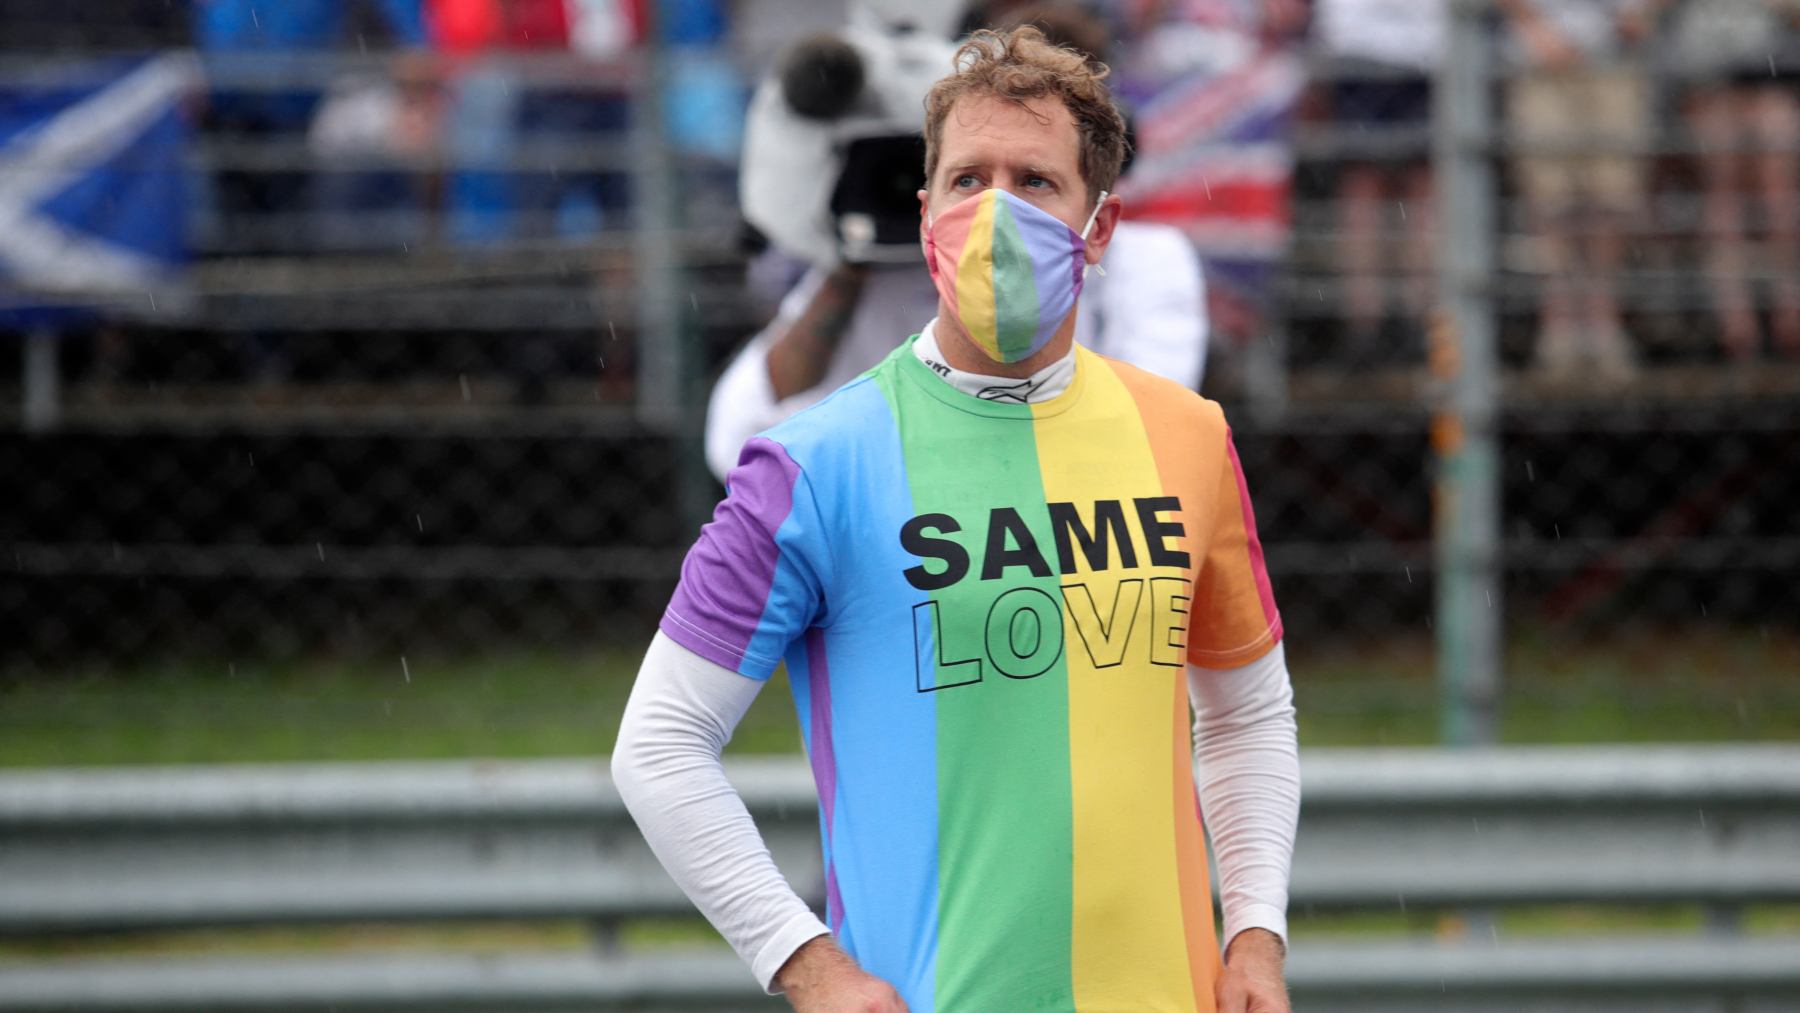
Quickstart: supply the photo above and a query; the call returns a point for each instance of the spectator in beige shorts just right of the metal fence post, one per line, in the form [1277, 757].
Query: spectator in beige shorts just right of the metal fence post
[1578, 87]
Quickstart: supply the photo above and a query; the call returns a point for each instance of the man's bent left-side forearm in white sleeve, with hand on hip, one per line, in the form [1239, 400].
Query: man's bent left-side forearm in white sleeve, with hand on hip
[669, 771]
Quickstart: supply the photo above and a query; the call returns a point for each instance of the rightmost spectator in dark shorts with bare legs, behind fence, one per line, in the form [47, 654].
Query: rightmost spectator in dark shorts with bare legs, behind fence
[1740, 62]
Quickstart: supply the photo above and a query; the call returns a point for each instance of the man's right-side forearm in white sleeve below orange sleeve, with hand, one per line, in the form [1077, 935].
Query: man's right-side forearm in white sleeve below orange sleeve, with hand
[1248, 764]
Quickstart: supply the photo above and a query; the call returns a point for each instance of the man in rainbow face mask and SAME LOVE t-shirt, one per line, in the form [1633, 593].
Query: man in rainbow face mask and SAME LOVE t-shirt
[994, 614]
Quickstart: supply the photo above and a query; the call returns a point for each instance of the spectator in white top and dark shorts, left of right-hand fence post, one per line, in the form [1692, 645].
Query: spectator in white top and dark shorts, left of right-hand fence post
[1383, 55]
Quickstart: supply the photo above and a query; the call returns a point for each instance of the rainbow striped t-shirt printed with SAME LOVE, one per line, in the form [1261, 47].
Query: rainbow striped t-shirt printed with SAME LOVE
[987, 611]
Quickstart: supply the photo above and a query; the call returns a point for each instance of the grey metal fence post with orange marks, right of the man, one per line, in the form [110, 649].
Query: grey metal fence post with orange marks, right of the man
[1466, 496]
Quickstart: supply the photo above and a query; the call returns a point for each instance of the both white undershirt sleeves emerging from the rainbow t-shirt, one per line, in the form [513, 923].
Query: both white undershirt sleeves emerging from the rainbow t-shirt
[685, 708]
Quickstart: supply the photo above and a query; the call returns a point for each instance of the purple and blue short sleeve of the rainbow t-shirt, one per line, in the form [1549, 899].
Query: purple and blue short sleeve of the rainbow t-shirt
[753, 580]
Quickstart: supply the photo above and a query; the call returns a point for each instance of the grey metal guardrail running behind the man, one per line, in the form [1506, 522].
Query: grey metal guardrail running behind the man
[1398, 834]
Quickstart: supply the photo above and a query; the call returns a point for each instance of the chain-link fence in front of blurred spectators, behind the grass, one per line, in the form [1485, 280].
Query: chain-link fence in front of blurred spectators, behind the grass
[445, 386]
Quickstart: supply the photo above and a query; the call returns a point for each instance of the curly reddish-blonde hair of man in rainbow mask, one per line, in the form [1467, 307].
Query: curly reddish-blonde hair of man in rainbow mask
[1021, 66]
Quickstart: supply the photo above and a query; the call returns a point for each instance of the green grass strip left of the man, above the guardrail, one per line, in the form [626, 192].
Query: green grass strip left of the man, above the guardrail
[492, 706]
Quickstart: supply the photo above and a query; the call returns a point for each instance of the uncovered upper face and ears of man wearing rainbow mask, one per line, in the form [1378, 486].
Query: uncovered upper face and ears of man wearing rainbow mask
[1030, 152]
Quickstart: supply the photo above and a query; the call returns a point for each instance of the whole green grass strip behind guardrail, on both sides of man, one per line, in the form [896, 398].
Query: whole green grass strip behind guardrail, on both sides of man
[1651, 686]
